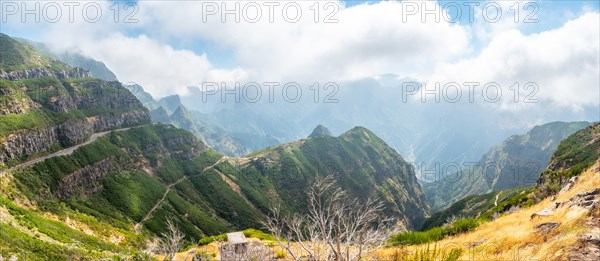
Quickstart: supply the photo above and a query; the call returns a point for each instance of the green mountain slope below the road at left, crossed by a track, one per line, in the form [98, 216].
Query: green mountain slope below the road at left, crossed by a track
[125, 183]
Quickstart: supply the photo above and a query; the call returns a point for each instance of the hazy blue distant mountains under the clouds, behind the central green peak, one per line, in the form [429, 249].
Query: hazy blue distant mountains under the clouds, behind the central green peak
[430, 133]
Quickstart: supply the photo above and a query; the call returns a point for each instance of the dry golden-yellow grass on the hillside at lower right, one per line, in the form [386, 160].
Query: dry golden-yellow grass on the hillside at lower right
[513, 236]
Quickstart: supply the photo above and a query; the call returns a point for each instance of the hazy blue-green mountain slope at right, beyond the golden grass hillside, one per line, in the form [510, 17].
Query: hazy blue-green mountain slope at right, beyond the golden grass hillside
[518, 161]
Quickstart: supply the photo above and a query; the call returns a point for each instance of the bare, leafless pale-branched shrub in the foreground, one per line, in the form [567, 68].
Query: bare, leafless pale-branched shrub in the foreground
[336, 227]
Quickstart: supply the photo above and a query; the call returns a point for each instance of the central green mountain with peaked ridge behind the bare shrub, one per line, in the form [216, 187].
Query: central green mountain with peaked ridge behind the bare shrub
[362, 163]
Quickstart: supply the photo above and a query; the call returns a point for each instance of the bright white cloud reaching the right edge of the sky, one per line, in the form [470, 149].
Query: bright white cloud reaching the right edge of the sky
[563, 62]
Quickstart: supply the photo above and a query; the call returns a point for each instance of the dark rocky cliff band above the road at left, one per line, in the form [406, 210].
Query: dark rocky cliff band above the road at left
[103, 110]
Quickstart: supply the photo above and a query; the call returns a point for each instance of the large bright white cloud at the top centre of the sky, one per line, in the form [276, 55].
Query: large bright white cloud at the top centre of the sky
[367, 40]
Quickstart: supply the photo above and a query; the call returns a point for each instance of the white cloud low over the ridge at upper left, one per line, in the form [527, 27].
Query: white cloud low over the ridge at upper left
[161, 69]
